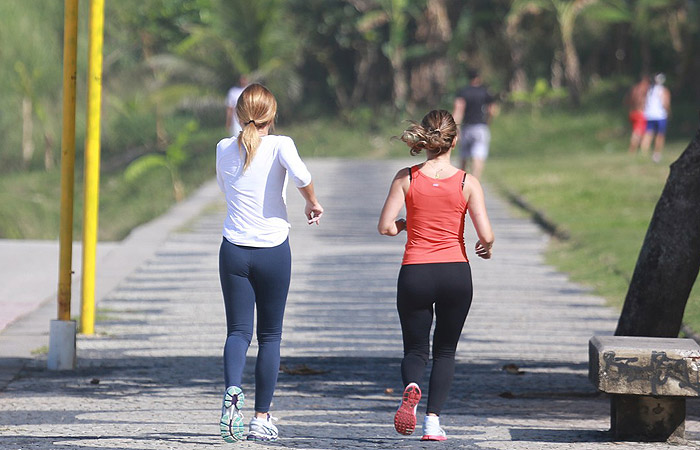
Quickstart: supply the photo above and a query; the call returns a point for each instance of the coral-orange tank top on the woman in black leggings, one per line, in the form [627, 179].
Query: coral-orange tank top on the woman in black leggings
[435, 210]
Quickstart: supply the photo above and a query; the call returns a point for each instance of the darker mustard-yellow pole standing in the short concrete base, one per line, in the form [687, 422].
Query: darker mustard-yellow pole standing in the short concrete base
[70, 51]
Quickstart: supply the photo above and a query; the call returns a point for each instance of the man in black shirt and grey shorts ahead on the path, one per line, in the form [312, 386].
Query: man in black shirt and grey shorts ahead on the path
[474, 106]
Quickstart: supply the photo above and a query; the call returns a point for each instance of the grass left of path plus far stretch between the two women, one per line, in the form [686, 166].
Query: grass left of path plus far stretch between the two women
[30, 201]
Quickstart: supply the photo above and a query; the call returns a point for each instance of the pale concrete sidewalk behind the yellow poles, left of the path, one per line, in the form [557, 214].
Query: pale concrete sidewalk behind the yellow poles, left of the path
[29, 279]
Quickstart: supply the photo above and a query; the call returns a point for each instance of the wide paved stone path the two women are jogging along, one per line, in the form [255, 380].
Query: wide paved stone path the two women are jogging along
[152, 377]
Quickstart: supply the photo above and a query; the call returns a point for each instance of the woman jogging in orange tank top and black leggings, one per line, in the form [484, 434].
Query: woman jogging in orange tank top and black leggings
[435, 274]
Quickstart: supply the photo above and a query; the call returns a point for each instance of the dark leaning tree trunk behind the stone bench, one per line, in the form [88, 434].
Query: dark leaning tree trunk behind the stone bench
[670, 257]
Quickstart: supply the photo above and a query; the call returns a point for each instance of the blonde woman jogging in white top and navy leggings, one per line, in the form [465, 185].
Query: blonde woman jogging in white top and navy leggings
[254, 259]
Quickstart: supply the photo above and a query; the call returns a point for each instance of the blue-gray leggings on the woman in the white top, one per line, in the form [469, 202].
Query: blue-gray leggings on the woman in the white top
[254, 277]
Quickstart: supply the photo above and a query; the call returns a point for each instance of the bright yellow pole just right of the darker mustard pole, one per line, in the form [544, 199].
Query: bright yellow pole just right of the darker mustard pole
[92, 166]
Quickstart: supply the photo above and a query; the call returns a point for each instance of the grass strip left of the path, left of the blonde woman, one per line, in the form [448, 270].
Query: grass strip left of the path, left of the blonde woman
[30, 201]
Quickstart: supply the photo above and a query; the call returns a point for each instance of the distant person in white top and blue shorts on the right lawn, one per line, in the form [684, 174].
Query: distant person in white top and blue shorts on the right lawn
[656, 110]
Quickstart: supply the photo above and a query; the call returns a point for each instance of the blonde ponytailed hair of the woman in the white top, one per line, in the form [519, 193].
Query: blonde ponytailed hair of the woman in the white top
[256, 108]
